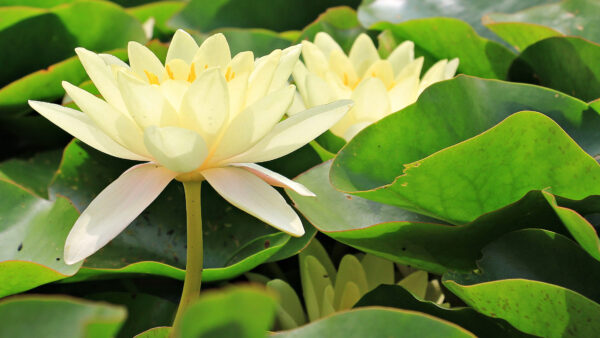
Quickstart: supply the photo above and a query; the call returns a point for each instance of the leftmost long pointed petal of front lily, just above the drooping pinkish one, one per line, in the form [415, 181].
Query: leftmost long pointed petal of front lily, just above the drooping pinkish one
[82, 127]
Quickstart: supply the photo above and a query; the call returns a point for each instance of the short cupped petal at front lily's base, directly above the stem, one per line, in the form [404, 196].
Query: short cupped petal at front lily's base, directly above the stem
[181, 150]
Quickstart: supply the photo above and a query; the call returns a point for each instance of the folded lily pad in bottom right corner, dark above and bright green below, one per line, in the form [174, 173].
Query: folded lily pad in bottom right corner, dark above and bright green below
[537, 281]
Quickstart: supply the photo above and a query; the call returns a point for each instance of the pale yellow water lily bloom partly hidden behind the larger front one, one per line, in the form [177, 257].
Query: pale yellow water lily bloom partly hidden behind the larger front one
[378, 87]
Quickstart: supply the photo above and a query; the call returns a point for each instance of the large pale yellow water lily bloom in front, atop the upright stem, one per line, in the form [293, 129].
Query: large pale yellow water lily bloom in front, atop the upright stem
[203, 115]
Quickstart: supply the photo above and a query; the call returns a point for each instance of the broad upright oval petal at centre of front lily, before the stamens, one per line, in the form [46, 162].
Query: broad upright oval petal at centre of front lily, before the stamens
[205, 105]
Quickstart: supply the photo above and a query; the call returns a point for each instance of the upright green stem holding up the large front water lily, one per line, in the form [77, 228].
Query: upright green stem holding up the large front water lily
[193, 269]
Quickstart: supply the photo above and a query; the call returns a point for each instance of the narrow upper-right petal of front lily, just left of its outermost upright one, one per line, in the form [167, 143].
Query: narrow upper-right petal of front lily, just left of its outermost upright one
[262, 76]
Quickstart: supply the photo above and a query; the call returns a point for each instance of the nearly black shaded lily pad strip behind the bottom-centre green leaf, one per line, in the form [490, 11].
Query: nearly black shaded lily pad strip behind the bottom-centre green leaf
[398, 297]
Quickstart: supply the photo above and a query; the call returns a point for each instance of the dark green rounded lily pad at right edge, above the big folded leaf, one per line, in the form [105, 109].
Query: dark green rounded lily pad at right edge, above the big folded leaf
[568, 64]
